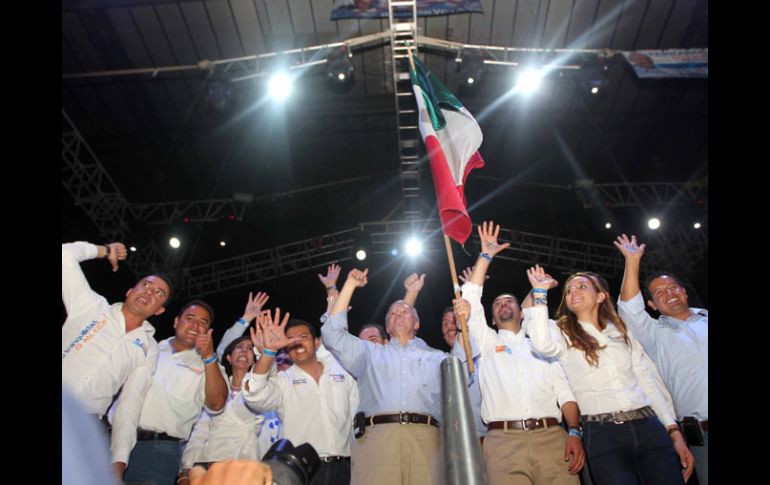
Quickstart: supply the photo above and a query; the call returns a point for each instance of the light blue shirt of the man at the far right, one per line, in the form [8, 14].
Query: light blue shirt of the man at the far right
[679, 349]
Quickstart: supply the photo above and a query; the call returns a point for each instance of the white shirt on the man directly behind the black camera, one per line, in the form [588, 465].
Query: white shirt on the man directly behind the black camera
[319, 413]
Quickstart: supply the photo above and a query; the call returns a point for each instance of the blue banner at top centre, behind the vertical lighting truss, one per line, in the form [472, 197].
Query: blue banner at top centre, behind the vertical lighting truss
[366, 9]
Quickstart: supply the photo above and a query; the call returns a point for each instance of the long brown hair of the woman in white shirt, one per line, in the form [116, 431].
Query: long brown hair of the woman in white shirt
[577, 336]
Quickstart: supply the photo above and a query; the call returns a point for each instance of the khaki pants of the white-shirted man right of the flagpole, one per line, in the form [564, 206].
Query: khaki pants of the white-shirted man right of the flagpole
[516, 457]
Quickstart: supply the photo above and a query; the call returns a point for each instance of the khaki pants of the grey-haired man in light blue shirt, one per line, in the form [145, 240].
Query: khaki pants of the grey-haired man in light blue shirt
[397, 454]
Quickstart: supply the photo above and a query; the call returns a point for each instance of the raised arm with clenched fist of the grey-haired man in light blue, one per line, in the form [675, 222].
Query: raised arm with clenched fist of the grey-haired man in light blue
[350, 351]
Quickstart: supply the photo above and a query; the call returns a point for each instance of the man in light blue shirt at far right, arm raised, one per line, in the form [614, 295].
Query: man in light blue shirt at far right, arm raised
[677, 342]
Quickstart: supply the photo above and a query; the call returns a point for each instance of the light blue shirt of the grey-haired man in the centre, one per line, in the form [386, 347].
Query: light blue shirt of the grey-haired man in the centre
[391, 378]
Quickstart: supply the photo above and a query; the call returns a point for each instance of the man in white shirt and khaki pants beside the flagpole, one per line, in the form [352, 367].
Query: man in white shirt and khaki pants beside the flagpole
[520, 390]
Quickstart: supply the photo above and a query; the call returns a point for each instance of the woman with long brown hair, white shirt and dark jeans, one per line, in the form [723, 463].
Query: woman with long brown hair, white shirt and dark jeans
[630, 435]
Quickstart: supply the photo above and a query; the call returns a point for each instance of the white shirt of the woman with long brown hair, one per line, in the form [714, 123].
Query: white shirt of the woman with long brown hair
[625, 378]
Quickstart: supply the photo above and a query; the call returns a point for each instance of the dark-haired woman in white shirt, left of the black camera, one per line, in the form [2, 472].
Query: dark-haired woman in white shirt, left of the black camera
[235, 433]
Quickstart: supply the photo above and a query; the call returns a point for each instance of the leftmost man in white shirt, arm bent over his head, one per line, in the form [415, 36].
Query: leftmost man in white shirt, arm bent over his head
[107, 346]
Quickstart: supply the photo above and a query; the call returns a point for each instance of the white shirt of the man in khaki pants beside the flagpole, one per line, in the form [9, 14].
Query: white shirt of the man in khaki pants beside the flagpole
[516, 383]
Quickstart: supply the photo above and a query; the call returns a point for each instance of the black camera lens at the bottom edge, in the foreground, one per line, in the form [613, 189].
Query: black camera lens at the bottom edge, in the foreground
[292, 465]
